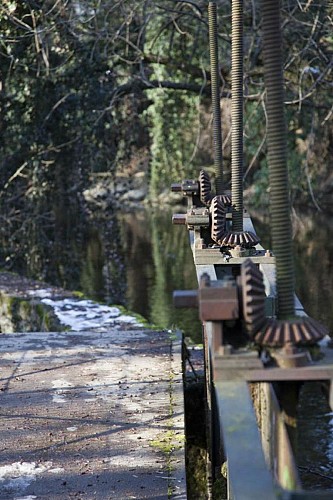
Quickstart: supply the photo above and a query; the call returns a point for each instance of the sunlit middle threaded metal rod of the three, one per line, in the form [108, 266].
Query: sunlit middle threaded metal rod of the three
[237, 115]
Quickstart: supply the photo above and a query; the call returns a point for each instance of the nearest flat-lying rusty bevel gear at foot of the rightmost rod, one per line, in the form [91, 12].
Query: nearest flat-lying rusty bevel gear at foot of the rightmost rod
[299, 331]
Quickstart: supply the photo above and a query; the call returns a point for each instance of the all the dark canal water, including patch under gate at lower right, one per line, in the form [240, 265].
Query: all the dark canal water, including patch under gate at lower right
[137, 259]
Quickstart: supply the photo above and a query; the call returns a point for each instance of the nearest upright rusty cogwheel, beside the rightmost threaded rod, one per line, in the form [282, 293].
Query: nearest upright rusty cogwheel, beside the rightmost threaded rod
[253, 296]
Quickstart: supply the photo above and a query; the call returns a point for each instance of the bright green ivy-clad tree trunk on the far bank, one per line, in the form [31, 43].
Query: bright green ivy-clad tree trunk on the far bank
[179, 42]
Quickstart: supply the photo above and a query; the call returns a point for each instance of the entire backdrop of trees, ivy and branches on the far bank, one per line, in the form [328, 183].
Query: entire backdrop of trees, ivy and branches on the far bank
[95, 87]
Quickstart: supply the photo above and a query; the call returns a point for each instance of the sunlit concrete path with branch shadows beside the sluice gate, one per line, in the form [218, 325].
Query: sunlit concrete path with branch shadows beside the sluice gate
[91, 415]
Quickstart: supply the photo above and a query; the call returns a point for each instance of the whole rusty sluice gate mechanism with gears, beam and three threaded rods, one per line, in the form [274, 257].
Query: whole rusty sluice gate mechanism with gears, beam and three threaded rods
[260, 346]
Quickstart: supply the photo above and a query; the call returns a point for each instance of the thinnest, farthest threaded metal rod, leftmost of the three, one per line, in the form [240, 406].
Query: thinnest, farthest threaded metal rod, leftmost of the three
[214, 68]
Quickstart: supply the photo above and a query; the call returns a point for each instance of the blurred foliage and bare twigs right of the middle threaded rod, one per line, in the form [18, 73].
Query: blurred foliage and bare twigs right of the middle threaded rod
[307, 49]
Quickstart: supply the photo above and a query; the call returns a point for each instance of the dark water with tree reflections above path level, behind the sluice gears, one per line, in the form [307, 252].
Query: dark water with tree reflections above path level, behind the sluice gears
[138, 259]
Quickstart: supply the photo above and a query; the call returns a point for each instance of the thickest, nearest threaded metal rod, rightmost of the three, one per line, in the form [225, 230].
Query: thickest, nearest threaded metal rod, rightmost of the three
[277, 158]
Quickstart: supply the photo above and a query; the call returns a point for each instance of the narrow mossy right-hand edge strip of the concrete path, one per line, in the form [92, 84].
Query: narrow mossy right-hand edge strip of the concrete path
[178, 473]
